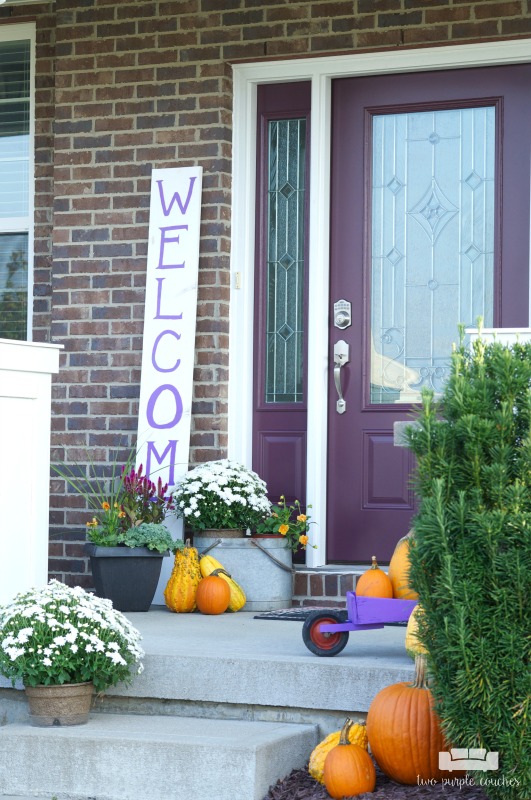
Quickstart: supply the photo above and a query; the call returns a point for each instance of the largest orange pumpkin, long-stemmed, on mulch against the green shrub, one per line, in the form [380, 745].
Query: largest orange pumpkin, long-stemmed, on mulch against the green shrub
[404, 732]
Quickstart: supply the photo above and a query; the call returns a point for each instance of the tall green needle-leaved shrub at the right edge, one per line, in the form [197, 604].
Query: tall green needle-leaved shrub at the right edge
[471, 560]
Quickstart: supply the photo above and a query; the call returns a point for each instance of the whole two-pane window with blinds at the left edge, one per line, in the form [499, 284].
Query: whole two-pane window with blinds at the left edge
[16, 175]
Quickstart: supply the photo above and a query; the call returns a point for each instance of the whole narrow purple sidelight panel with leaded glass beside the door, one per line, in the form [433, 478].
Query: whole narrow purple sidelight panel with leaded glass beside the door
[280, 341]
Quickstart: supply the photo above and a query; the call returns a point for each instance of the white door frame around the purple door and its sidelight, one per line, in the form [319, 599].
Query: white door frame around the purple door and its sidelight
[321, 71]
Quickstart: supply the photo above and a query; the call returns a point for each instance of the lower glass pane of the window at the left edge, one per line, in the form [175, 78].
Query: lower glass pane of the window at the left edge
[13, 285]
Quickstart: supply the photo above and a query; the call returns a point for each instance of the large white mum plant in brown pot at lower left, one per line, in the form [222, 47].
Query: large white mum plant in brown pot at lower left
[62, 635]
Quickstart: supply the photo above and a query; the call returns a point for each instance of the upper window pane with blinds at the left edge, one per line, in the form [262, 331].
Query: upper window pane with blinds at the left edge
[14, 128]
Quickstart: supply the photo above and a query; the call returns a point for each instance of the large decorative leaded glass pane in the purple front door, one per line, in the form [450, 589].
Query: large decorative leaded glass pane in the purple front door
[432, 243]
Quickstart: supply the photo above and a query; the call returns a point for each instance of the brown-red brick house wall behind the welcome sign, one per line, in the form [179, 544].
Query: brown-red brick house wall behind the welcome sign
[121, 88]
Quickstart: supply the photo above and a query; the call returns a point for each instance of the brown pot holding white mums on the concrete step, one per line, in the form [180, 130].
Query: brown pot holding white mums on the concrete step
[65, 704]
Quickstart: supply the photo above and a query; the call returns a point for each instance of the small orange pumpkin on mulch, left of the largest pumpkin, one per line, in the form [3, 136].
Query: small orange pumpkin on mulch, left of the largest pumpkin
[348, 768]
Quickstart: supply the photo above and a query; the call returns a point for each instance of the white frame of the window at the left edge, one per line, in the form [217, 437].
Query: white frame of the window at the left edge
[12, 33]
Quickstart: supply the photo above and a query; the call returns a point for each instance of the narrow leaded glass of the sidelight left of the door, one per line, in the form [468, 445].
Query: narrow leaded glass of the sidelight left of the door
[285, 261]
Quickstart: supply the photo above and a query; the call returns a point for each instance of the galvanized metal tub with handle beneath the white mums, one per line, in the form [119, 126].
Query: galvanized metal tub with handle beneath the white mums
[265, 577]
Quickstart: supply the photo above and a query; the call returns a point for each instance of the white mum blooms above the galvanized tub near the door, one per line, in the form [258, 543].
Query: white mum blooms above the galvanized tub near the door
[221, 494]
